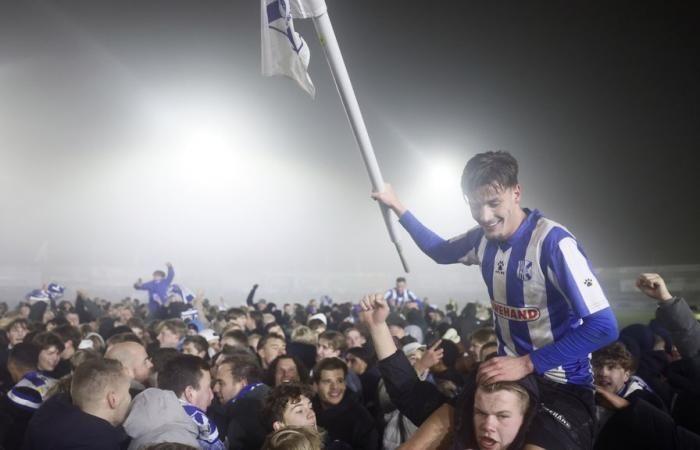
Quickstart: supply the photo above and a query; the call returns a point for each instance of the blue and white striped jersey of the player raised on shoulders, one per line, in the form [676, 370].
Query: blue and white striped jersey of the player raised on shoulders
[540, 284]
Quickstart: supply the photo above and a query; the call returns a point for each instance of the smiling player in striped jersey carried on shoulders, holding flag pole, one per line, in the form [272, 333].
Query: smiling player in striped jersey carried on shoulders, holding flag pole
[550, 311]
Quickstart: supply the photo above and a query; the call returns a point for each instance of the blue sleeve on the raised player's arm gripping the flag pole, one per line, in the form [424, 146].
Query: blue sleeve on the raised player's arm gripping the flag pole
[460, 249]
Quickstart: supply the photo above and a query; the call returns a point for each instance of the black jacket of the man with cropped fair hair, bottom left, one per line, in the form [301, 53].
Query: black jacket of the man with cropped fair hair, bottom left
[61, 426]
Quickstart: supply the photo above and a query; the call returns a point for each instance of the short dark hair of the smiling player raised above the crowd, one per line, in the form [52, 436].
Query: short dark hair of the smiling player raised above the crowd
[498, 169]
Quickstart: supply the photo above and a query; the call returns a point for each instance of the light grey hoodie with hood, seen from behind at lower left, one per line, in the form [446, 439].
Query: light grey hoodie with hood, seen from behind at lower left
[157, 416]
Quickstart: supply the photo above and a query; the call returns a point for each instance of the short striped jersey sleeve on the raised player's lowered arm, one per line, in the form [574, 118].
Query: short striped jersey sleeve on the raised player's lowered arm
[570, 271]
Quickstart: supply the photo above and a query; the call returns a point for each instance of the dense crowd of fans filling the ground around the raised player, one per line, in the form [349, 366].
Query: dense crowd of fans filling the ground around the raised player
[390, 371]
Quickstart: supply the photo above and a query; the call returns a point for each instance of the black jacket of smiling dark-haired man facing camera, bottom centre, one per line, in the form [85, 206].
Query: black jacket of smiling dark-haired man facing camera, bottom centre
[349, 422]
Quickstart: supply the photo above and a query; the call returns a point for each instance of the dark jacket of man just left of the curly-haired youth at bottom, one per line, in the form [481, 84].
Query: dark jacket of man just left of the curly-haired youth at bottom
[245, 428]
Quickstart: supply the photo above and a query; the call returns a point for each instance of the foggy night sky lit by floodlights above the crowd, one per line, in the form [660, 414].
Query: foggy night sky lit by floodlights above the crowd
[599, 101]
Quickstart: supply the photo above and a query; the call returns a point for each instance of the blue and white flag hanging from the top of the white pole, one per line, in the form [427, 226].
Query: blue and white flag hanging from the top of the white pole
[284, 51]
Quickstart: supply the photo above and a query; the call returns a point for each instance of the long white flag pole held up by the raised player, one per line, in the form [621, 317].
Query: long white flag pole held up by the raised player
[326, 35]
